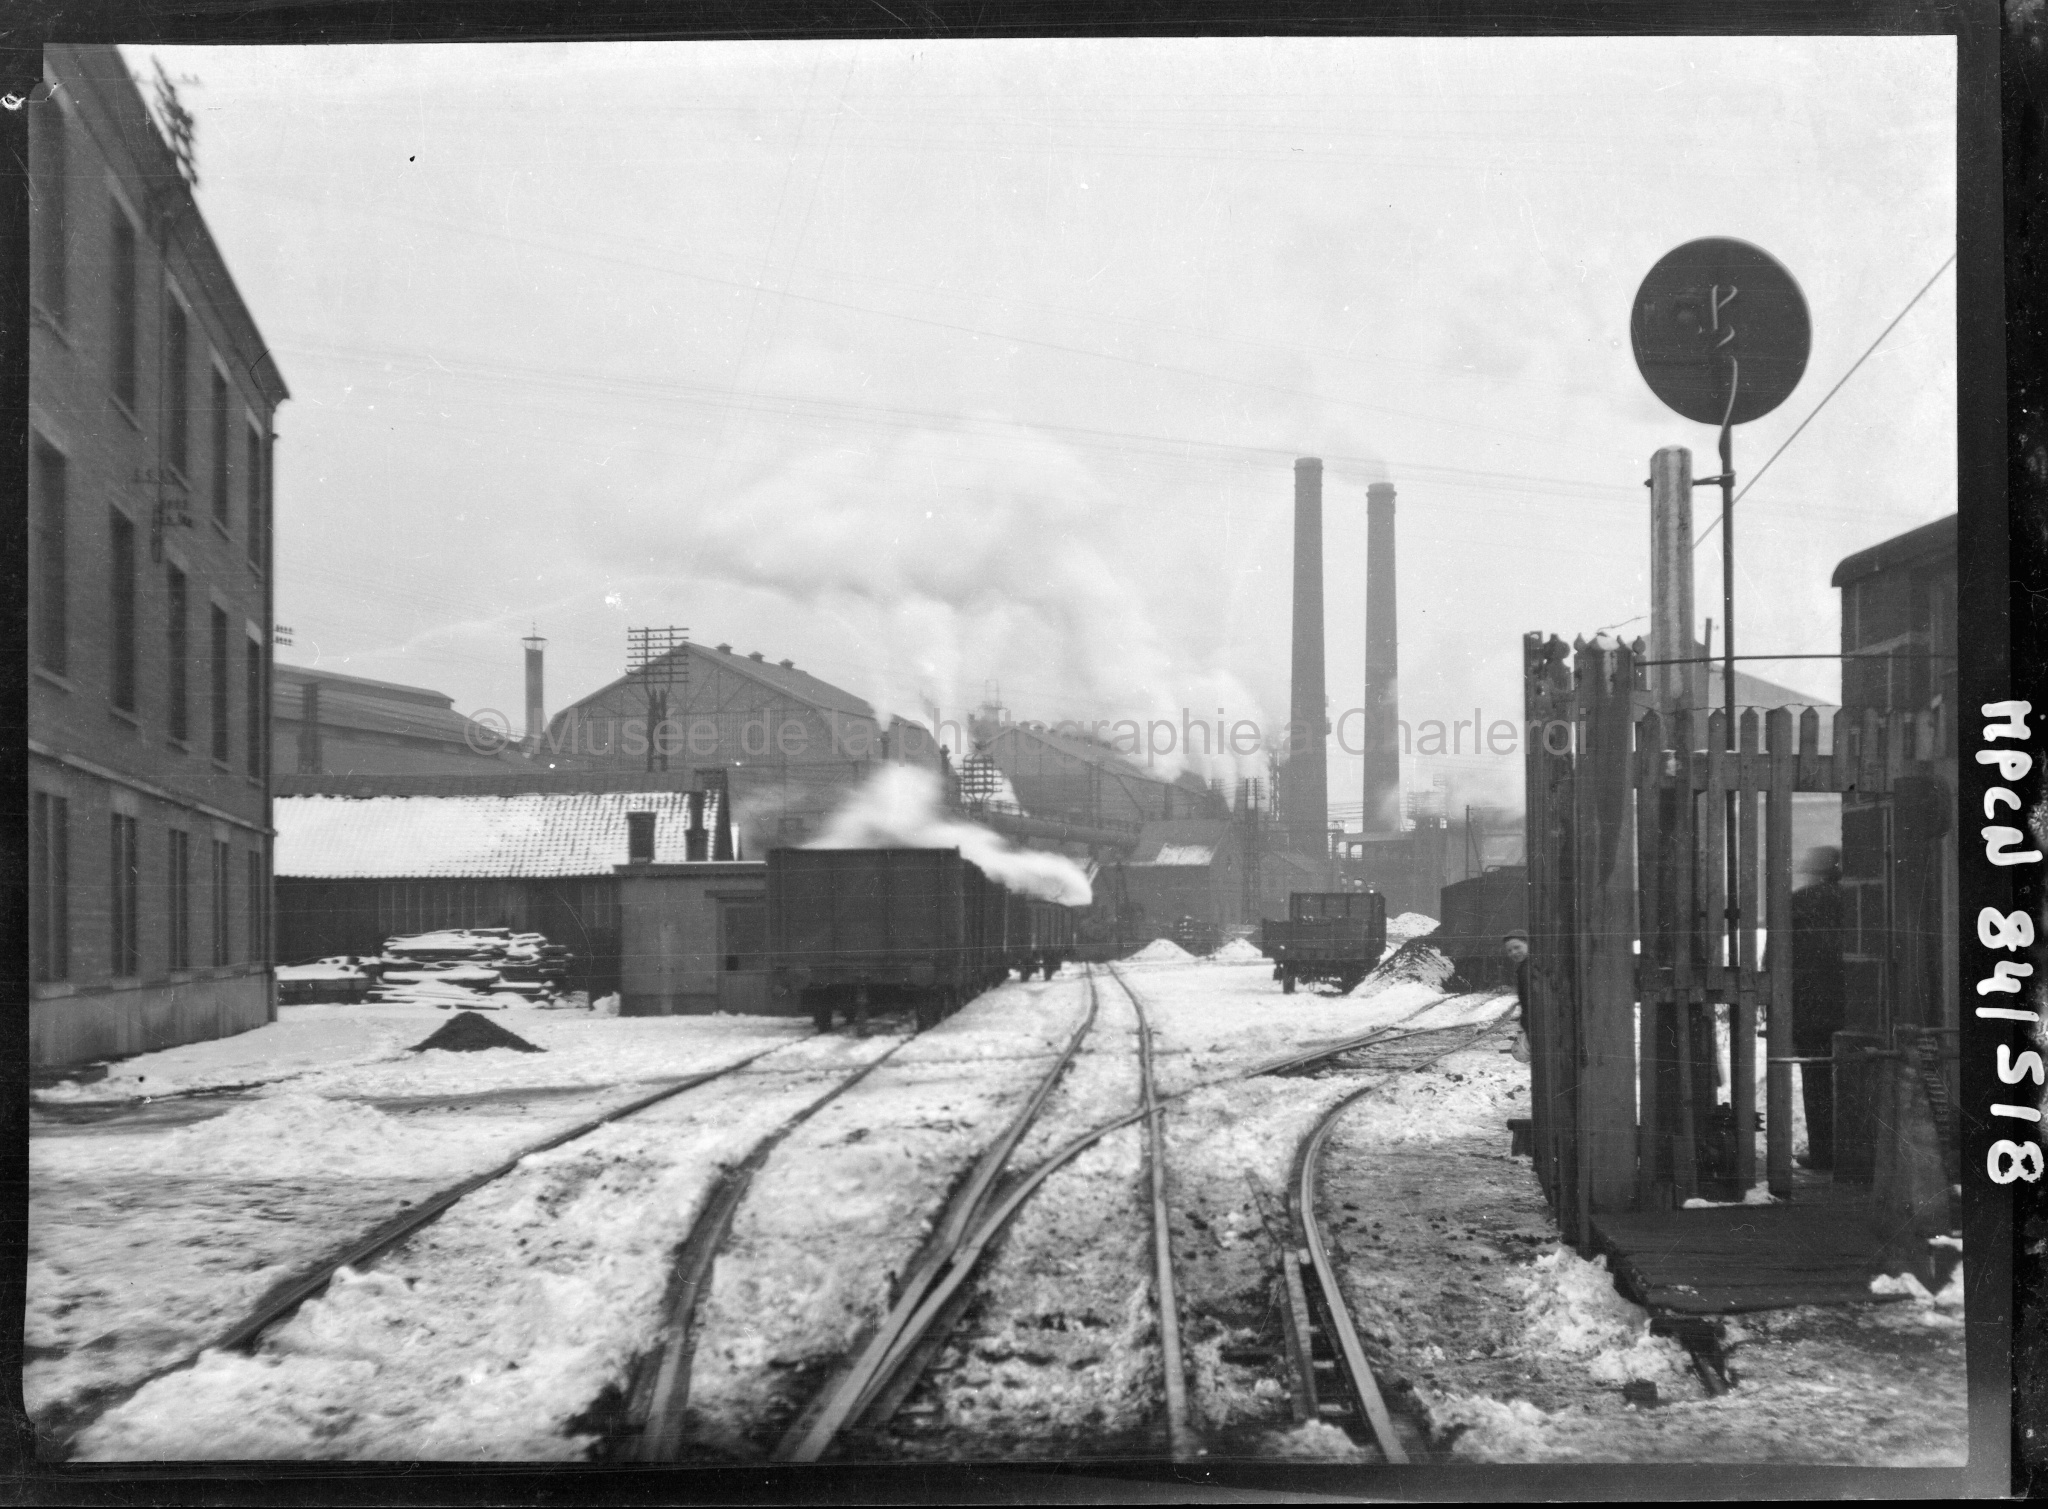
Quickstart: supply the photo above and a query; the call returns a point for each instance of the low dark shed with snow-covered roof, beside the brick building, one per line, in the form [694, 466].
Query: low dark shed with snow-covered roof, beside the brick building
[353, 871]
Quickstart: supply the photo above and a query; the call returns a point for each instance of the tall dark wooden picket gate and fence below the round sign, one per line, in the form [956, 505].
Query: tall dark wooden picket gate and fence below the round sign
[1639, 953]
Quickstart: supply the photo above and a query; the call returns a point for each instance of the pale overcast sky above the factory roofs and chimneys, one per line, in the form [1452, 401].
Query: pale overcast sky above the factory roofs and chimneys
[951, 368]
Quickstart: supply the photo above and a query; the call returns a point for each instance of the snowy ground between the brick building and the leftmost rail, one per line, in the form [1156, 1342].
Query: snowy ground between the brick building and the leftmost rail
[153, 1234]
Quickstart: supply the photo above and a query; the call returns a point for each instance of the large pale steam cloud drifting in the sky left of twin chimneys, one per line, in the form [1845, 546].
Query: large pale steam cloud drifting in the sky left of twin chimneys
[953, 560]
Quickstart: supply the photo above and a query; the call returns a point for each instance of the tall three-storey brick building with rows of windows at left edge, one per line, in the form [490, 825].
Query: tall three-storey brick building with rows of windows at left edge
[151, 587]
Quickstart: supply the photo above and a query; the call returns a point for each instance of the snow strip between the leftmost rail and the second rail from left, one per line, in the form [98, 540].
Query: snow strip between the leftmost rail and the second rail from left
[490, 1334]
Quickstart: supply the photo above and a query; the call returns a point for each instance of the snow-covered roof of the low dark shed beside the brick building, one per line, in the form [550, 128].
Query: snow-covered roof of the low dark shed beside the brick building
[534, 836]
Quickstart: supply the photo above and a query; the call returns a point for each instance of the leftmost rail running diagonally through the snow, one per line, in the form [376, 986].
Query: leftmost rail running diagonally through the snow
[312, 1281]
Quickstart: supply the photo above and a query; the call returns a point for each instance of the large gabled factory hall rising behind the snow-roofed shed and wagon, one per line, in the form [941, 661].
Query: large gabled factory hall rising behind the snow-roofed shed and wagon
[790, 744]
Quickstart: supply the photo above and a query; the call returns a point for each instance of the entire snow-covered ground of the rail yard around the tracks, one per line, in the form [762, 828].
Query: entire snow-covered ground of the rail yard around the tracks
[165, 1205]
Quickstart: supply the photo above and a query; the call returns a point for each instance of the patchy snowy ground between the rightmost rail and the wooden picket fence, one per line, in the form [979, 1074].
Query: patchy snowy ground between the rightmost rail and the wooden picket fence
[1519, 1350]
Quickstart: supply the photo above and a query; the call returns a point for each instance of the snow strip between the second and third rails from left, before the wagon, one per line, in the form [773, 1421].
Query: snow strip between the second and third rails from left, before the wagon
[841, 1211]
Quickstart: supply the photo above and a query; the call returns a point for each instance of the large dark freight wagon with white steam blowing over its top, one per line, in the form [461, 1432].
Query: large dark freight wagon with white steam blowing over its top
[863, 931]
